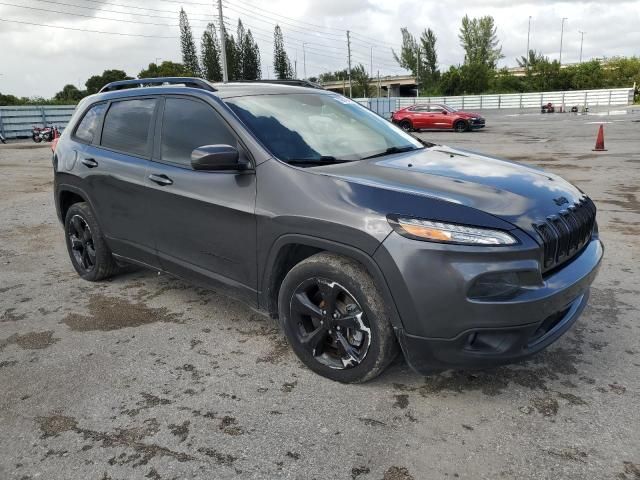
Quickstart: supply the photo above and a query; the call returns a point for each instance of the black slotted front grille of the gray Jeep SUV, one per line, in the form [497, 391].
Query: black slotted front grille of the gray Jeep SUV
[563, 235]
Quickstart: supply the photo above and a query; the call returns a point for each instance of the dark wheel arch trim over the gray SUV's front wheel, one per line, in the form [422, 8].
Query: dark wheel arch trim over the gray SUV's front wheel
[289, 250]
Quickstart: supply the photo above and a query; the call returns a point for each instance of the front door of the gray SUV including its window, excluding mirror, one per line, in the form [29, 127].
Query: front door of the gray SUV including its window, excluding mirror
[204, 221]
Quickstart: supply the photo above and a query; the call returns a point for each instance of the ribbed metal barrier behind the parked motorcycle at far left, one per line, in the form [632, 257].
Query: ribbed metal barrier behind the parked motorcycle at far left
[18, 121]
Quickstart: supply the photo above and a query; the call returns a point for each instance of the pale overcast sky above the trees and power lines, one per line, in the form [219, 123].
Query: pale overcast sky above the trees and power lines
[39, 60]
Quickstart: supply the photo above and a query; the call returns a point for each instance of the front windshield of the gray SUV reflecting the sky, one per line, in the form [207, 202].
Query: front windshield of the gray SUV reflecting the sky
[311, 129]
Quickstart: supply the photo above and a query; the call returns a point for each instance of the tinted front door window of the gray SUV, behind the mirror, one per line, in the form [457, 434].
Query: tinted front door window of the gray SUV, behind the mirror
[189, 124]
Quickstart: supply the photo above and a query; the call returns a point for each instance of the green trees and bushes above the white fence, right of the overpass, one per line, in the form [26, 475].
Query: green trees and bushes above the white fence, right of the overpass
[479, 73]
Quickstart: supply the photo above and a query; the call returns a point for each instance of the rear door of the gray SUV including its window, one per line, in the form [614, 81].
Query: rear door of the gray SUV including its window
[114, 160]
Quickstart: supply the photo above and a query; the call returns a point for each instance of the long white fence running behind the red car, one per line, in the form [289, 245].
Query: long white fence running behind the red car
[614, 96]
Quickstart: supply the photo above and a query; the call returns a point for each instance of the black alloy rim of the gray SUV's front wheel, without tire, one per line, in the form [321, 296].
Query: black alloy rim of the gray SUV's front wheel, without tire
[330, 324]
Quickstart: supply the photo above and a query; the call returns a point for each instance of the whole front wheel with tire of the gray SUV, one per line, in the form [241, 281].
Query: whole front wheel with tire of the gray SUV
[335, 319]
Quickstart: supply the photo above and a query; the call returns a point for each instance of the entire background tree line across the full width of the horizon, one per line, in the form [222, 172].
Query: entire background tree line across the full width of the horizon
[477, 74]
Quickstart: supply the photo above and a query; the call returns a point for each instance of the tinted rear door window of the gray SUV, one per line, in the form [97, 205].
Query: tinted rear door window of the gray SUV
[127, 126]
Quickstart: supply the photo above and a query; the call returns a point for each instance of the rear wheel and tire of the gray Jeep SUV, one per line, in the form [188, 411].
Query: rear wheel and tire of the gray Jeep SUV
[88, 251]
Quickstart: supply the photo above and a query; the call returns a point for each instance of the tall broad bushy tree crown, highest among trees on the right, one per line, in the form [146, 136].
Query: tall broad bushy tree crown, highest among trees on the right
[478, 37]
